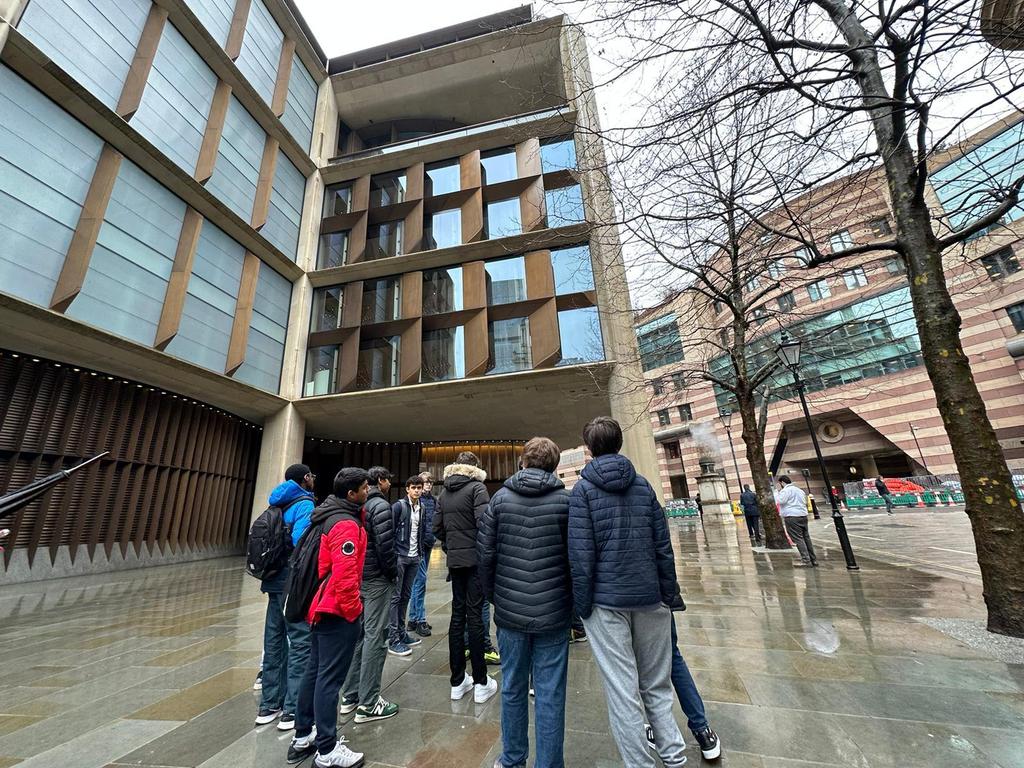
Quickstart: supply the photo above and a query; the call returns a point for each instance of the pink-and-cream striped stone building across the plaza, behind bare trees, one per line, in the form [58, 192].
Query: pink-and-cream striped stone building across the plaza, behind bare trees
[873, 404]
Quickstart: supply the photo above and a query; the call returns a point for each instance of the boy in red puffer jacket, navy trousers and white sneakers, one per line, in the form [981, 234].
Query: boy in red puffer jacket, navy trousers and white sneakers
[335, 618]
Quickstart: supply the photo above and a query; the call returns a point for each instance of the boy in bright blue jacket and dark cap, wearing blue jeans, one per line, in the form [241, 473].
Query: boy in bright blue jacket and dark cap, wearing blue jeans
[286, 645]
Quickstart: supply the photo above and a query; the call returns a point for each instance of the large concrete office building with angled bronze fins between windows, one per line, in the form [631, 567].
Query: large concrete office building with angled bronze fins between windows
[223, 253]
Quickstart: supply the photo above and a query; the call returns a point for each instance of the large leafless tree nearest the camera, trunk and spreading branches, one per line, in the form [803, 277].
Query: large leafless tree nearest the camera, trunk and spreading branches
[884, 87]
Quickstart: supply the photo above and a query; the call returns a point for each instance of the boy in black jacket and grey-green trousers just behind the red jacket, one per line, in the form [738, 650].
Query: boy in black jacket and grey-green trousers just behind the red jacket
[363, 685]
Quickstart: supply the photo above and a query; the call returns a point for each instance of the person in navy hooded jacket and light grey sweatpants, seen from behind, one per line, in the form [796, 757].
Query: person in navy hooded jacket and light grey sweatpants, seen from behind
[623, 579]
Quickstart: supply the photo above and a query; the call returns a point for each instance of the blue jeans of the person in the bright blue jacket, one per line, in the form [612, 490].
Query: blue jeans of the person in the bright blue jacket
[286, 651]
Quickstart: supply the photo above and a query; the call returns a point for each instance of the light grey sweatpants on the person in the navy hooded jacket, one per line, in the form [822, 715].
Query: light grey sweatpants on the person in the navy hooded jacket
[633, 651]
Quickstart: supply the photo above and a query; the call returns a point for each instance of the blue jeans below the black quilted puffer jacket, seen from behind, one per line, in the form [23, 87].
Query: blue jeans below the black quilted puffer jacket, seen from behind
[546, 655]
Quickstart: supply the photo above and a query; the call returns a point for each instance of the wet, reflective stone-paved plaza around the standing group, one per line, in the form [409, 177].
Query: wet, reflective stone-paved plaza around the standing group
[799, 668]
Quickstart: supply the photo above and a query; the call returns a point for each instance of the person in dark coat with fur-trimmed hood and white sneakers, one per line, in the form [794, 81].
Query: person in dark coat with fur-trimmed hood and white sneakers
[460, 508]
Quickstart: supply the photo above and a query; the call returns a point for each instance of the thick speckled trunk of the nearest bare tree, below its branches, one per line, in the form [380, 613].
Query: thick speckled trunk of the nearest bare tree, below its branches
[997, 520]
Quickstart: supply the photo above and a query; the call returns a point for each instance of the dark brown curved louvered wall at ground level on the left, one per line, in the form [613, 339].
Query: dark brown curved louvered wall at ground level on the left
[179, 480]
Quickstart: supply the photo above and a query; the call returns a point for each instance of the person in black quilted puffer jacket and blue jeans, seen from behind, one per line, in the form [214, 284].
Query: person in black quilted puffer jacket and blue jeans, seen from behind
[525, 573]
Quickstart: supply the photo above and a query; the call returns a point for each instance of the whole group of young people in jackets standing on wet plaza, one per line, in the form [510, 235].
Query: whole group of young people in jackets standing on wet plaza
[557, 567]
